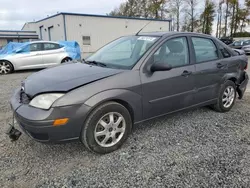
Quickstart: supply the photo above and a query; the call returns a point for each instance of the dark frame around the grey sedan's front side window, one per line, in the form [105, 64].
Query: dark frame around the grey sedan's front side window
[167, 39]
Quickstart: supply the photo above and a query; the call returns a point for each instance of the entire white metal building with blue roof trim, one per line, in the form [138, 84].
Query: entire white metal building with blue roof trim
[92, 31]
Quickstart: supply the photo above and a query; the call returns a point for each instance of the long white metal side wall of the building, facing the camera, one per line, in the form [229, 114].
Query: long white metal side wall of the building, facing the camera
[103, 30]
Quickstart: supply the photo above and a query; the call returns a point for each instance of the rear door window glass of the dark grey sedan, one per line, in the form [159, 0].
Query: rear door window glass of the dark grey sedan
[205, 49]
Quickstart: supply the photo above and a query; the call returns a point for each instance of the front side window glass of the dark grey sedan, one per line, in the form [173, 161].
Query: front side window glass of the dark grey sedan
[173, 52]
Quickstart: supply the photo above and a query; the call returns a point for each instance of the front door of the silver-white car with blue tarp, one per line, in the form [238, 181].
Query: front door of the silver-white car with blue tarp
[30, 57]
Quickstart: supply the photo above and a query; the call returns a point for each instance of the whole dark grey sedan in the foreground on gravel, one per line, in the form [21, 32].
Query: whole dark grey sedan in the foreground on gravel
[128, 81]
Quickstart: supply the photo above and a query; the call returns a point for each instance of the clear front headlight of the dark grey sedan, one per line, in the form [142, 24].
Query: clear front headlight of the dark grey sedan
[44, 101]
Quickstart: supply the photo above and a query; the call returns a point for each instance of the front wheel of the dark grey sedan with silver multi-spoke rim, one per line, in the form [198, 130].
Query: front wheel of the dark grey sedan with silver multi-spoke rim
[99, 139]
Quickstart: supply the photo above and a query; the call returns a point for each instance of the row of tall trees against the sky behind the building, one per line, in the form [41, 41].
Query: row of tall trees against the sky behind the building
[229, 16]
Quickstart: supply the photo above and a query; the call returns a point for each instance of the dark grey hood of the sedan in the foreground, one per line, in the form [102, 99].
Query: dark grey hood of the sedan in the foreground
[65, 77]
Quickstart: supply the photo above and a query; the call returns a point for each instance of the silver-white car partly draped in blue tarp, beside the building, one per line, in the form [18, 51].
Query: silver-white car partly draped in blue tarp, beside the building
[38, 54]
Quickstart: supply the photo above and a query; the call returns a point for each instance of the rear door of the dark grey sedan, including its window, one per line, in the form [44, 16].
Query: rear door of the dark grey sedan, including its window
[209, 69]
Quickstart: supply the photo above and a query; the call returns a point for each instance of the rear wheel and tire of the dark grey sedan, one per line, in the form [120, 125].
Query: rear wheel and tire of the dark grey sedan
[224, 102]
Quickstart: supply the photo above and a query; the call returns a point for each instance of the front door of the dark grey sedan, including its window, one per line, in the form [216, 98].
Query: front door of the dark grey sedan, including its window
[172, 90]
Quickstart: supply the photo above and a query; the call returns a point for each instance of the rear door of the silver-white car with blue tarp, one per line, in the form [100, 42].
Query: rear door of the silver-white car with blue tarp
[52, 54]
